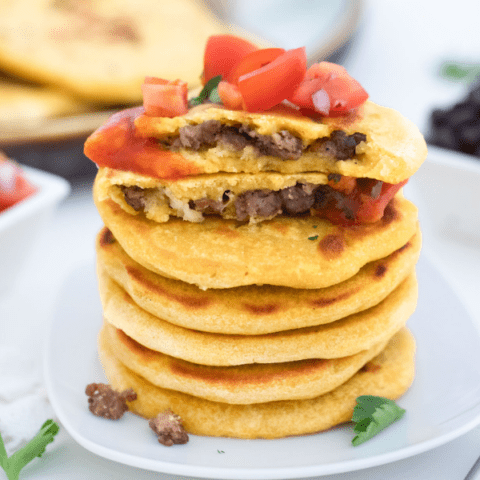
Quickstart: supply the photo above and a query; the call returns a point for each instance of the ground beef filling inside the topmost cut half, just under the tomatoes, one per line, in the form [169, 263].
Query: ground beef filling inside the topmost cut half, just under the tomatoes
[283, 144]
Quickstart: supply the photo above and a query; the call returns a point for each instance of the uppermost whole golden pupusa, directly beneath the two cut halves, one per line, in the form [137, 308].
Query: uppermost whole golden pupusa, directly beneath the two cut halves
[220, 253]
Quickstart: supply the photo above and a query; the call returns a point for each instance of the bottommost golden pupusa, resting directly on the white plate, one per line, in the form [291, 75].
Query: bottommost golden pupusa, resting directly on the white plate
[388, 375]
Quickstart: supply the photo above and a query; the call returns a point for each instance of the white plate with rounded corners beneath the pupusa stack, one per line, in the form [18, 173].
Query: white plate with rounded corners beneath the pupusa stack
[442, 404]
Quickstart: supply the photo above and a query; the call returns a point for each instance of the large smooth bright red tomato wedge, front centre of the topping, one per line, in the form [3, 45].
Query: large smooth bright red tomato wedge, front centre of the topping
[269, 85]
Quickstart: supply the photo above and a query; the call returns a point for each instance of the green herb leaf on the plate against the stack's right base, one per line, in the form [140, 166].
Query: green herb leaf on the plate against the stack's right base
[371, 415]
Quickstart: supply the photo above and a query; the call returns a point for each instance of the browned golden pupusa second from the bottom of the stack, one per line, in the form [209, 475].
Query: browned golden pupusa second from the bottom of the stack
[243, 384]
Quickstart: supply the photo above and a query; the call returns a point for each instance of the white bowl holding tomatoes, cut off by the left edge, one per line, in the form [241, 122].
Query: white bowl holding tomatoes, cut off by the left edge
[21, 224]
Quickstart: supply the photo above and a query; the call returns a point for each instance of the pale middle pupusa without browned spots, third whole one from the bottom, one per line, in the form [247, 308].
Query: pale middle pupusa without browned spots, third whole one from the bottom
[342, 338]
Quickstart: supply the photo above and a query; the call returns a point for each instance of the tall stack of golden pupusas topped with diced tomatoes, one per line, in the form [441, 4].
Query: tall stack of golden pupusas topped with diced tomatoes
[257, 265]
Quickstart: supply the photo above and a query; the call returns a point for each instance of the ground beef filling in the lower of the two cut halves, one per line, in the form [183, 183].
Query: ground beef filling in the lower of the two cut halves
[296, 200]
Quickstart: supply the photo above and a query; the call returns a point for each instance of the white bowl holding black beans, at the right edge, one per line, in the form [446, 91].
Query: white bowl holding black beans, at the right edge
[446, 189]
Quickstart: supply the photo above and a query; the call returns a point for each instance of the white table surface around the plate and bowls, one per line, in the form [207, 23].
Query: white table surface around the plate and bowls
[396, 53]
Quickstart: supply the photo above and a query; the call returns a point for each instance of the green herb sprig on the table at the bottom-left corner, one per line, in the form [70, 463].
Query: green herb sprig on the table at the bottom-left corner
[34, 448]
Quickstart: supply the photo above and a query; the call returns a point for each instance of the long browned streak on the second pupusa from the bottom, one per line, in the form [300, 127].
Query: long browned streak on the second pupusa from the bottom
[247, 374]
